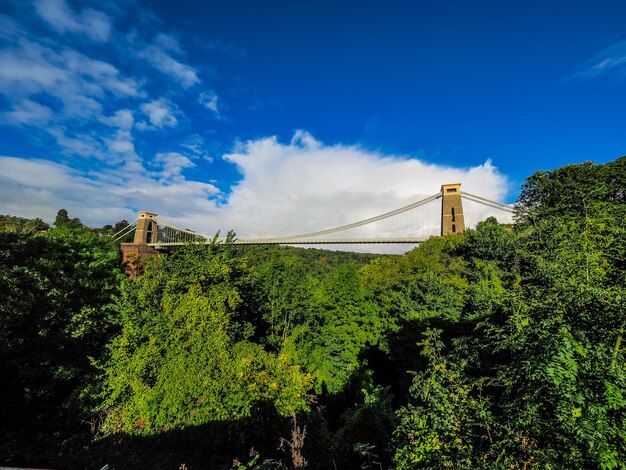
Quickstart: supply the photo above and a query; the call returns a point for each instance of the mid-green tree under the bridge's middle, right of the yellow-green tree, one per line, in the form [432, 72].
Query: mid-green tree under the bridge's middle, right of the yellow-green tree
[323, 321]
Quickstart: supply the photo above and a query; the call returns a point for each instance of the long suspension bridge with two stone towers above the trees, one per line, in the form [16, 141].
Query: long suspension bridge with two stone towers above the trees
[153, 233]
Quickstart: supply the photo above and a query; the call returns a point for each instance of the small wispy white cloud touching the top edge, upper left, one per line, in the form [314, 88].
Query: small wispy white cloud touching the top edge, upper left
[94, 24]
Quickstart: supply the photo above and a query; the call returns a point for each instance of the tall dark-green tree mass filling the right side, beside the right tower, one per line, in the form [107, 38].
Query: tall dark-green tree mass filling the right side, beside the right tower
[540, 381]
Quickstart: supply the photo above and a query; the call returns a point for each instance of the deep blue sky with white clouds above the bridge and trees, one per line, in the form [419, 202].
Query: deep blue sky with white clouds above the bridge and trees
[262, 116]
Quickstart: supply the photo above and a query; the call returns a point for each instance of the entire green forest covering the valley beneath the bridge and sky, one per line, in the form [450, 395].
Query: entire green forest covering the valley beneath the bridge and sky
[498, 348]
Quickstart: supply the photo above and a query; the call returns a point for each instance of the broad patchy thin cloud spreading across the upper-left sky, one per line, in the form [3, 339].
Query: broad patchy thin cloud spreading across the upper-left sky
[81, 99]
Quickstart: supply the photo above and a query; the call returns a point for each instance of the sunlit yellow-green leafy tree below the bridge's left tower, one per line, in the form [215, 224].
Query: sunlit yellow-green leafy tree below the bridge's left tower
[181, 359]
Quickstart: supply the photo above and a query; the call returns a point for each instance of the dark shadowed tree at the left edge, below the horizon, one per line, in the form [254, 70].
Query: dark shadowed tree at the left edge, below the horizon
[54, 314]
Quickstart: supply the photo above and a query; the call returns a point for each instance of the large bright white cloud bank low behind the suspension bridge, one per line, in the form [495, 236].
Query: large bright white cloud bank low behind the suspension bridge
[285, 189]
